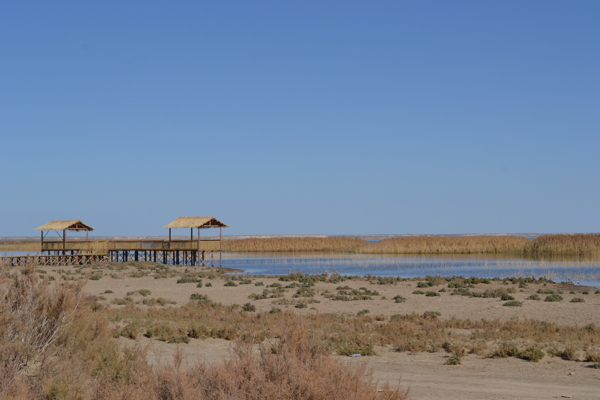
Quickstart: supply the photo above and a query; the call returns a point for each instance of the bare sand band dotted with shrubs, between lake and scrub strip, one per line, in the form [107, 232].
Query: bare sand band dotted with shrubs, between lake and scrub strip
[462, 307]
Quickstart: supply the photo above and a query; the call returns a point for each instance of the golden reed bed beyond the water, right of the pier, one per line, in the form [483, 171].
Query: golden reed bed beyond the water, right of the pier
[585, 244]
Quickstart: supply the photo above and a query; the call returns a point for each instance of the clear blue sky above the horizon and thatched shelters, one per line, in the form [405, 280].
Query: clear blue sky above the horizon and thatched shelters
[301, 117]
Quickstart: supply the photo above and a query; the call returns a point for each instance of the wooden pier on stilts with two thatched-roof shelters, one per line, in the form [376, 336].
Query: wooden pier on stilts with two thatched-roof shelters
[192, 252]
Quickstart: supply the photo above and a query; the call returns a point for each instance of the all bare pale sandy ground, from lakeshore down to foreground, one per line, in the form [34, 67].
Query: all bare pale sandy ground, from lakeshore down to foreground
[424, 373]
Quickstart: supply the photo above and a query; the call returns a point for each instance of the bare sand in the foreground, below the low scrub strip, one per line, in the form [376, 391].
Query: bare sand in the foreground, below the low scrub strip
[426, 376]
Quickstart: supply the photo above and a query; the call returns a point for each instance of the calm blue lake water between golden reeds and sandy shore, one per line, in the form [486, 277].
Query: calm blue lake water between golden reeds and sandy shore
[585, 270]
